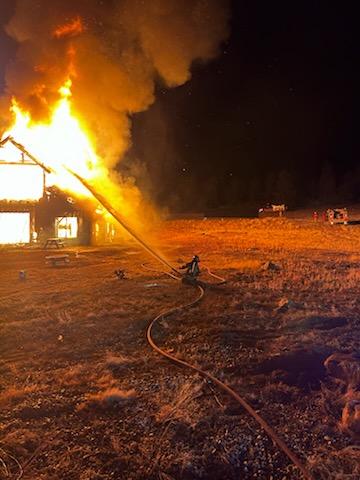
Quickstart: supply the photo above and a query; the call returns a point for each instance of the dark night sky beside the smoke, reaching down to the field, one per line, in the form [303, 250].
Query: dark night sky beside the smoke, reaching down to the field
[273, 118]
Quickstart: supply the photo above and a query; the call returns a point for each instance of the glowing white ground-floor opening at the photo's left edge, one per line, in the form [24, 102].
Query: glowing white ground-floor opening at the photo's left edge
[14, 227]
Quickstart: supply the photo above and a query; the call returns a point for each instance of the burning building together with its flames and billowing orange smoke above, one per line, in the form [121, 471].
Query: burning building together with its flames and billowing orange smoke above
[80, 71]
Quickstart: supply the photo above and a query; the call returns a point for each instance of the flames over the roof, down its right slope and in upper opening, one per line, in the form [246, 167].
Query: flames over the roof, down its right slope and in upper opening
[61, 144]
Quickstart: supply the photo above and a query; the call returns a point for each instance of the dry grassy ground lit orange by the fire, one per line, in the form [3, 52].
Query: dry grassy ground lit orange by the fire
[83, 396]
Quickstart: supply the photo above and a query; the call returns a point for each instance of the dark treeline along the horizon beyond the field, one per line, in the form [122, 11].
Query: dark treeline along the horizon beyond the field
[301, 189]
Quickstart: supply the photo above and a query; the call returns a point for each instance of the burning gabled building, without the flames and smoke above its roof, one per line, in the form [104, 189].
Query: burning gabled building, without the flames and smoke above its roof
[31, 210]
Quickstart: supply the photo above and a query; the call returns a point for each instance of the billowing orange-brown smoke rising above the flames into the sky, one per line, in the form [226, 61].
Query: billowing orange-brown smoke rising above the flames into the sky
[114, 51]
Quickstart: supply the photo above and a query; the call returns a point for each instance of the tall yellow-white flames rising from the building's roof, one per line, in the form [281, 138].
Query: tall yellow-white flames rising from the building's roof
[60, 143]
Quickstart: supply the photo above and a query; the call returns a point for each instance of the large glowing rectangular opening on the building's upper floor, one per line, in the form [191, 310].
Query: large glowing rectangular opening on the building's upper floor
[21, 182]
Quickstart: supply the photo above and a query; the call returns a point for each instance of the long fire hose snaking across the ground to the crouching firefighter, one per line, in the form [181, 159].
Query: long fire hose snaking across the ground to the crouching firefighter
[223, 386]
